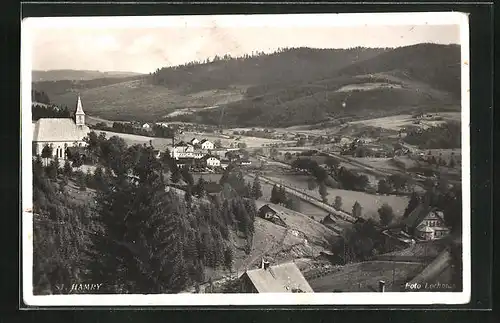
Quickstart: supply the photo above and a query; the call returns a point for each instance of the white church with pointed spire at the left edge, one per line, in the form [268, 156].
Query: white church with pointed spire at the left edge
[60, 133]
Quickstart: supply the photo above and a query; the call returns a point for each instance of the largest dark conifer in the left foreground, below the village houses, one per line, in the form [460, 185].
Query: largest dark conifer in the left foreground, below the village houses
[142, 245]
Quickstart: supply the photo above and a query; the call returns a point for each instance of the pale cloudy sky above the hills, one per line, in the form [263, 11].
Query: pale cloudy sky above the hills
[142, 48]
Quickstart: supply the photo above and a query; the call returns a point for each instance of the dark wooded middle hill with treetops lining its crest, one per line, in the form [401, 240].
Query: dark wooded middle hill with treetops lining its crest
[284, 66]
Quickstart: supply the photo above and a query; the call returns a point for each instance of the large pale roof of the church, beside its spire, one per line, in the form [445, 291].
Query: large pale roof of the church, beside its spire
[58, 129]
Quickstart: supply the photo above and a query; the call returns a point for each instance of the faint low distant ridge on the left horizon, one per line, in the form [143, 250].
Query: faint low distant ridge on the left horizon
[57, 75]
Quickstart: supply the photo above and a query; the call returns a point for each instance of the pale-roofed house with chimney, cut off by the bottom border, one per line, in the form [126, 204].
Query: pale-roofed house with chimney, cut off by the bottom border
[284, 278]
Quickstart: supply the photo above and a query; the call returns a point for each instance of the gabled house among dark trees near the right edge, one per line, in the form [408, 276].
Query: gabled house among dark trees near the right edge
[426, 223]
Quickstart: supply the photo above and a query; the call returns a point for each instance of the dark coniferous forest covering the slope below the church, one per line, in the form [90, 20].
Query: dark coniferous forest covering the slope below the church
[138, 236]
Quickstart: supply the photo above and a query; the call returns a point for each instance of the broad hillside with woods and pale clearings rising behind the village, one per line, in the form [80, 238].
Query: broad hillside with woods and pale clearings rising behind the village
[289, 87]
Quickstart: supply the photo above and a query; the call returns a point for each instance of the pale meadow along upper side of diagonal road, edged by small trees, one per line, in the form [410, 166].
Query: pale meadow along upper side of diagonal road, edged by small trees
[369, 202]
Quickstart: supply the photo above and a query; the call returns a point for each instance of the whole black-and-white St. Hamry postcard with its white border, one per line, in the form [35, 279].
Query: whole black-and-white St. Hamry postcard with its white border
[302, 159]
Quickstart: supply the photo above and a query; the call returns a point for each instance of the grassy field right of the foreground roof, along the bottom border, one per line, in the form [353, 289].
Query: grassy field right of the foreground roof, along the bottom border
[364, 276]
